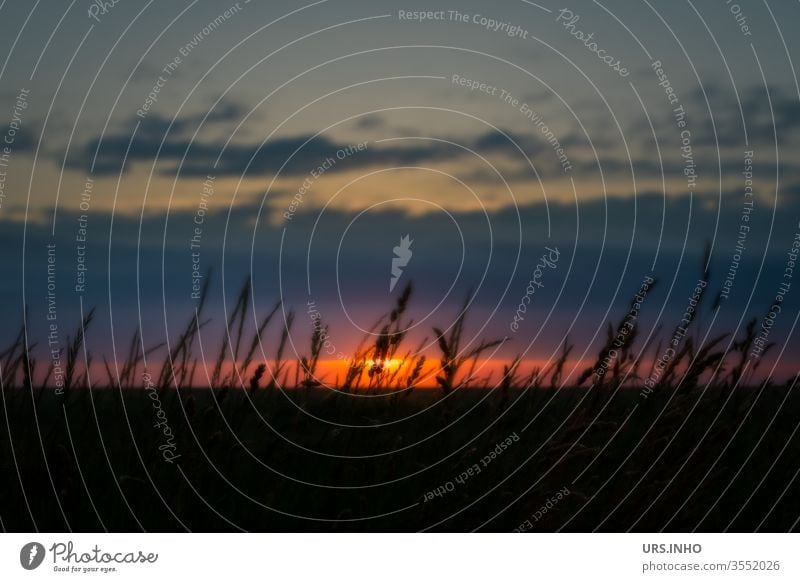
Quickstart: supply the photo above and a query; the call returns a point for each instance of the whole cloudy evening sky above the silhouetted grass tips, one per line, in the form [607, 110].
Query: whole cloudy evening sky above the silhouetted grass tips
[299, 142]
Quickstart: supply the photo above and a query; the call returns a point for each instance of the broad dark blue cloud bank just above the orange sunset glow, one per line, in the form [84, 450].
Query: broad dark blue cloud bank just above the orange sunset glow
[618, 239]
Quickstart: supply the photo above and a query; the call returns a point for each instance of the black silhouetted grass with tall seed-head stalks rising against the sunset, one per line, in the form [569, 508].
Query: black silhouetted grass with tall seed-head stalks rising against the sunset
[697, 451]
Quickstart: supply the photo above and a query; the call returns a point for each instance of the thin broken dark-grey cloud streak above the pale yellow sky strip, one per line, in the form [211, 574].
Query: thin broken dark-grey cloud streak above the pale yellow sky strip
[299, 154]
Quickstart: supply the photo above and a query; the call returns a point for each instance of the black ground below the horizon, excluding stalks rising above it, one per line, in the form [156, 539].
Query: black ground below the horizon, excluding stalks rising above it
[312, 460]
